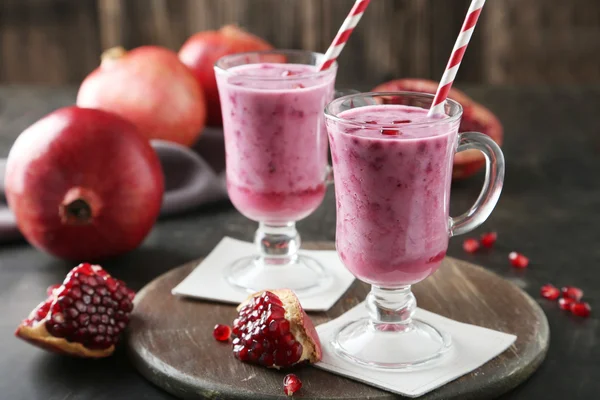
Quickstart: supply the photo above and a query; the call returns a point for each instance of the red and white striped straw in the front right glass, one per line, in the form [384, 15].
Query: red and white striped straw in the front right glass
[456, 57]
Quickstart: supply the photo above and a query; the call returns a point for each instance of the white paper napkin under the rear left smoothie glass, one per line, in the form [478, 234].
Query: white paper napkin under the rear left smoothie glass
[207, 281]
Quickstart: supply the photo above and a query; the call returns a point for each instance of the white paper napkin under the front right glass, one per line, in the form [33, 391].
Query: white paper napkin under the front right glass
[472, 346]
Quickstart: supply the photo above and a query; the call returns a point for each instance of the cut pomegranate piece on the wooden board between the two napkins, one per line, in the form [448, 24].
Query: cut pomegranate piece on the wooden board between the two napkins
[273, 330]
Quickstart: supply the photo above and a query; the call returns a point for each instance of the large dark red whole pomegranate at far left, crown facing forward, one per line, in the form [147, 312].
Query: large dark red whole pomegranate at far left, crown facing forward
[83, 184]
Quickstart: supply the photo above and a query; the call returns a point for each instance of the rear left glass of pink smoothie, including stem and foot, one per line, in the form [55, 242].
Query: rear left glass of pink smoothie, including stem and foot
[276, 159]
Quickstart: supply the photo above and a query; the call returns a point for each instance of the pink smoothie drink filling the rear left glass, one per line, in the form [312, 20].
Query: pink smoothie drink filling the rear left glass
[275, 139]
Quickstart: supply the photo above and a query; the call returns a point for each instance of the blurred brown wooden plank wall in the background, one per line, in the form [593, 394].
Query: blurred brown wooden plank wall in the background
[517, 42]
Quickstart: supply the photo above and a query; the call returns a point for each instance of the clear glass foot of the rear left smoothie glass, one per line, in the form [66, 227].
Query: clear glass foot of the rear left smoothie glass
[304, 275]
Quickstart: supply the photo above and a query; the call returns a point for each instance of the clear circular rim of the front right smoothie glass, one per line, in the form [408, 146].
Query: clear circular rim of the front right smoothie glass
[451, 118]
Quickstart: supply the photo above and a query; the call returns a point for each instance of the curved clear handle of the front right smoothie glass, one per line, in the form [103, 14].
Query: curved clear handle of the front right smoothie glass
[492, 186]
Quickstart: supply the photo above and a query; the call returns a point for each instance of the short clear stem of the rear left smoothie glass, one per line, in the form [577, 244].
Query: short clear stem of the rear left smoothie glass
[277, 244]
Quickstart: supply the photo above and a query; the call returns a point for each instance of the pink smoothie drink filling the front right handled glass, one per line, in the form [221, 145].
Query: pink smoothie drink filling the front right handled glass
[391, 190]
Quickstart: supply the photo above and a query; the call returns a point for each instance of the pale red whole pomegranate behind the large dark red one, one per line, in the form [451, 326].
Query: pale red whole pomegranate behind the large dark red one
[150, 87]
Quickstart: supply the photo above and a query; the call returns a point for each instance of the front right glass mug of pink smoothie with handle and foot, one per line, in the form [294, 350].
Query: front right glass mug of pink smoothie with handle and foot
[393, 168]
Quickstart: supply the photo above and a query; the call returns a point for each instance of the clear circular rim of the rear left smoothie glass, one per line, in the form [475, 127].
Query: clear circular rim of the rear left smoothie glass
[317, 74]
